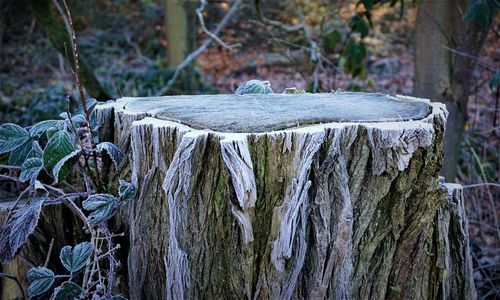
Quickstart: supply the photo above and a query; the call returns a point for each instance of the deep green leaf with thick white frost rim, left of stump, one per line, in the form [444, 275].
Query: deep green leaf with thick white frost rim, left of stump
[58, 146]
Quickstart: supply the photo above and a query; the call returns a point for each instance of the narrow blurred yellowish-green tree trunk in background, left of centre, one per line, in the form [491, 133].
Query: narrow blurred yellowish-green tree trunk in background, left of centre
[181, 31]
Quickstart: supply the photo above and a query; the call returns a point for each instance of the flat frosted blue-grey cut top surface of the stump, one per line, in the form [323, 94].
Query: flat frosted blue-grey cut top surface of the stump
[261, 113]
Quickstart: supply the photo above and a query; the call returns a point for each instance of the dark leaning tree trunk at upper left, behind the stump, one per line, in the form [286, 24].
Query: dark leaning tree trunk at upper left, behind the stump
[58, 36]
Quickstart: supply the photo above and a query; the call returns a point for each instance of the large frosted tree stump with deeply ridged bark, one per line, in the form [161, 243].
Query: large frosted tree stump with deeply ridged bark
[289, 196]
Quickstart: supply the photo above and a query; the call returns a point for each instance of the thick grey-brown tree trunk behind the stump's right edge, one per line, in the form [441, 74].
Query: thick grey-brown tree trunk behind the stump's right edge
[443, 71]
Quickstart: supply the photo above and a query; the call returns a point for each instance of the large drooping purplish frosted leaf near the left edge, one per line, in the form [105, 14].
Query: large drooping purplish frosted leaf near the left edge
[24, 223]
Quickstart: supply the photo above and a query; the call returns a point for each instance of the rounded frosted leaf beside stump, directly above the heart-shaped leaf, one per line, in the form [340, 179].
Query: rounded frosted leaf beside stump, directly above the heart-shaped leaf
[102, 207]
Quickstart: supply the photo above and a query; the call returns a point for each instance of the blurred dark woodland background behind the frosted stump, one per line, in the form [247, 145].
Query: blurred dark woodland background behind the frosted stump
[445, 50]
